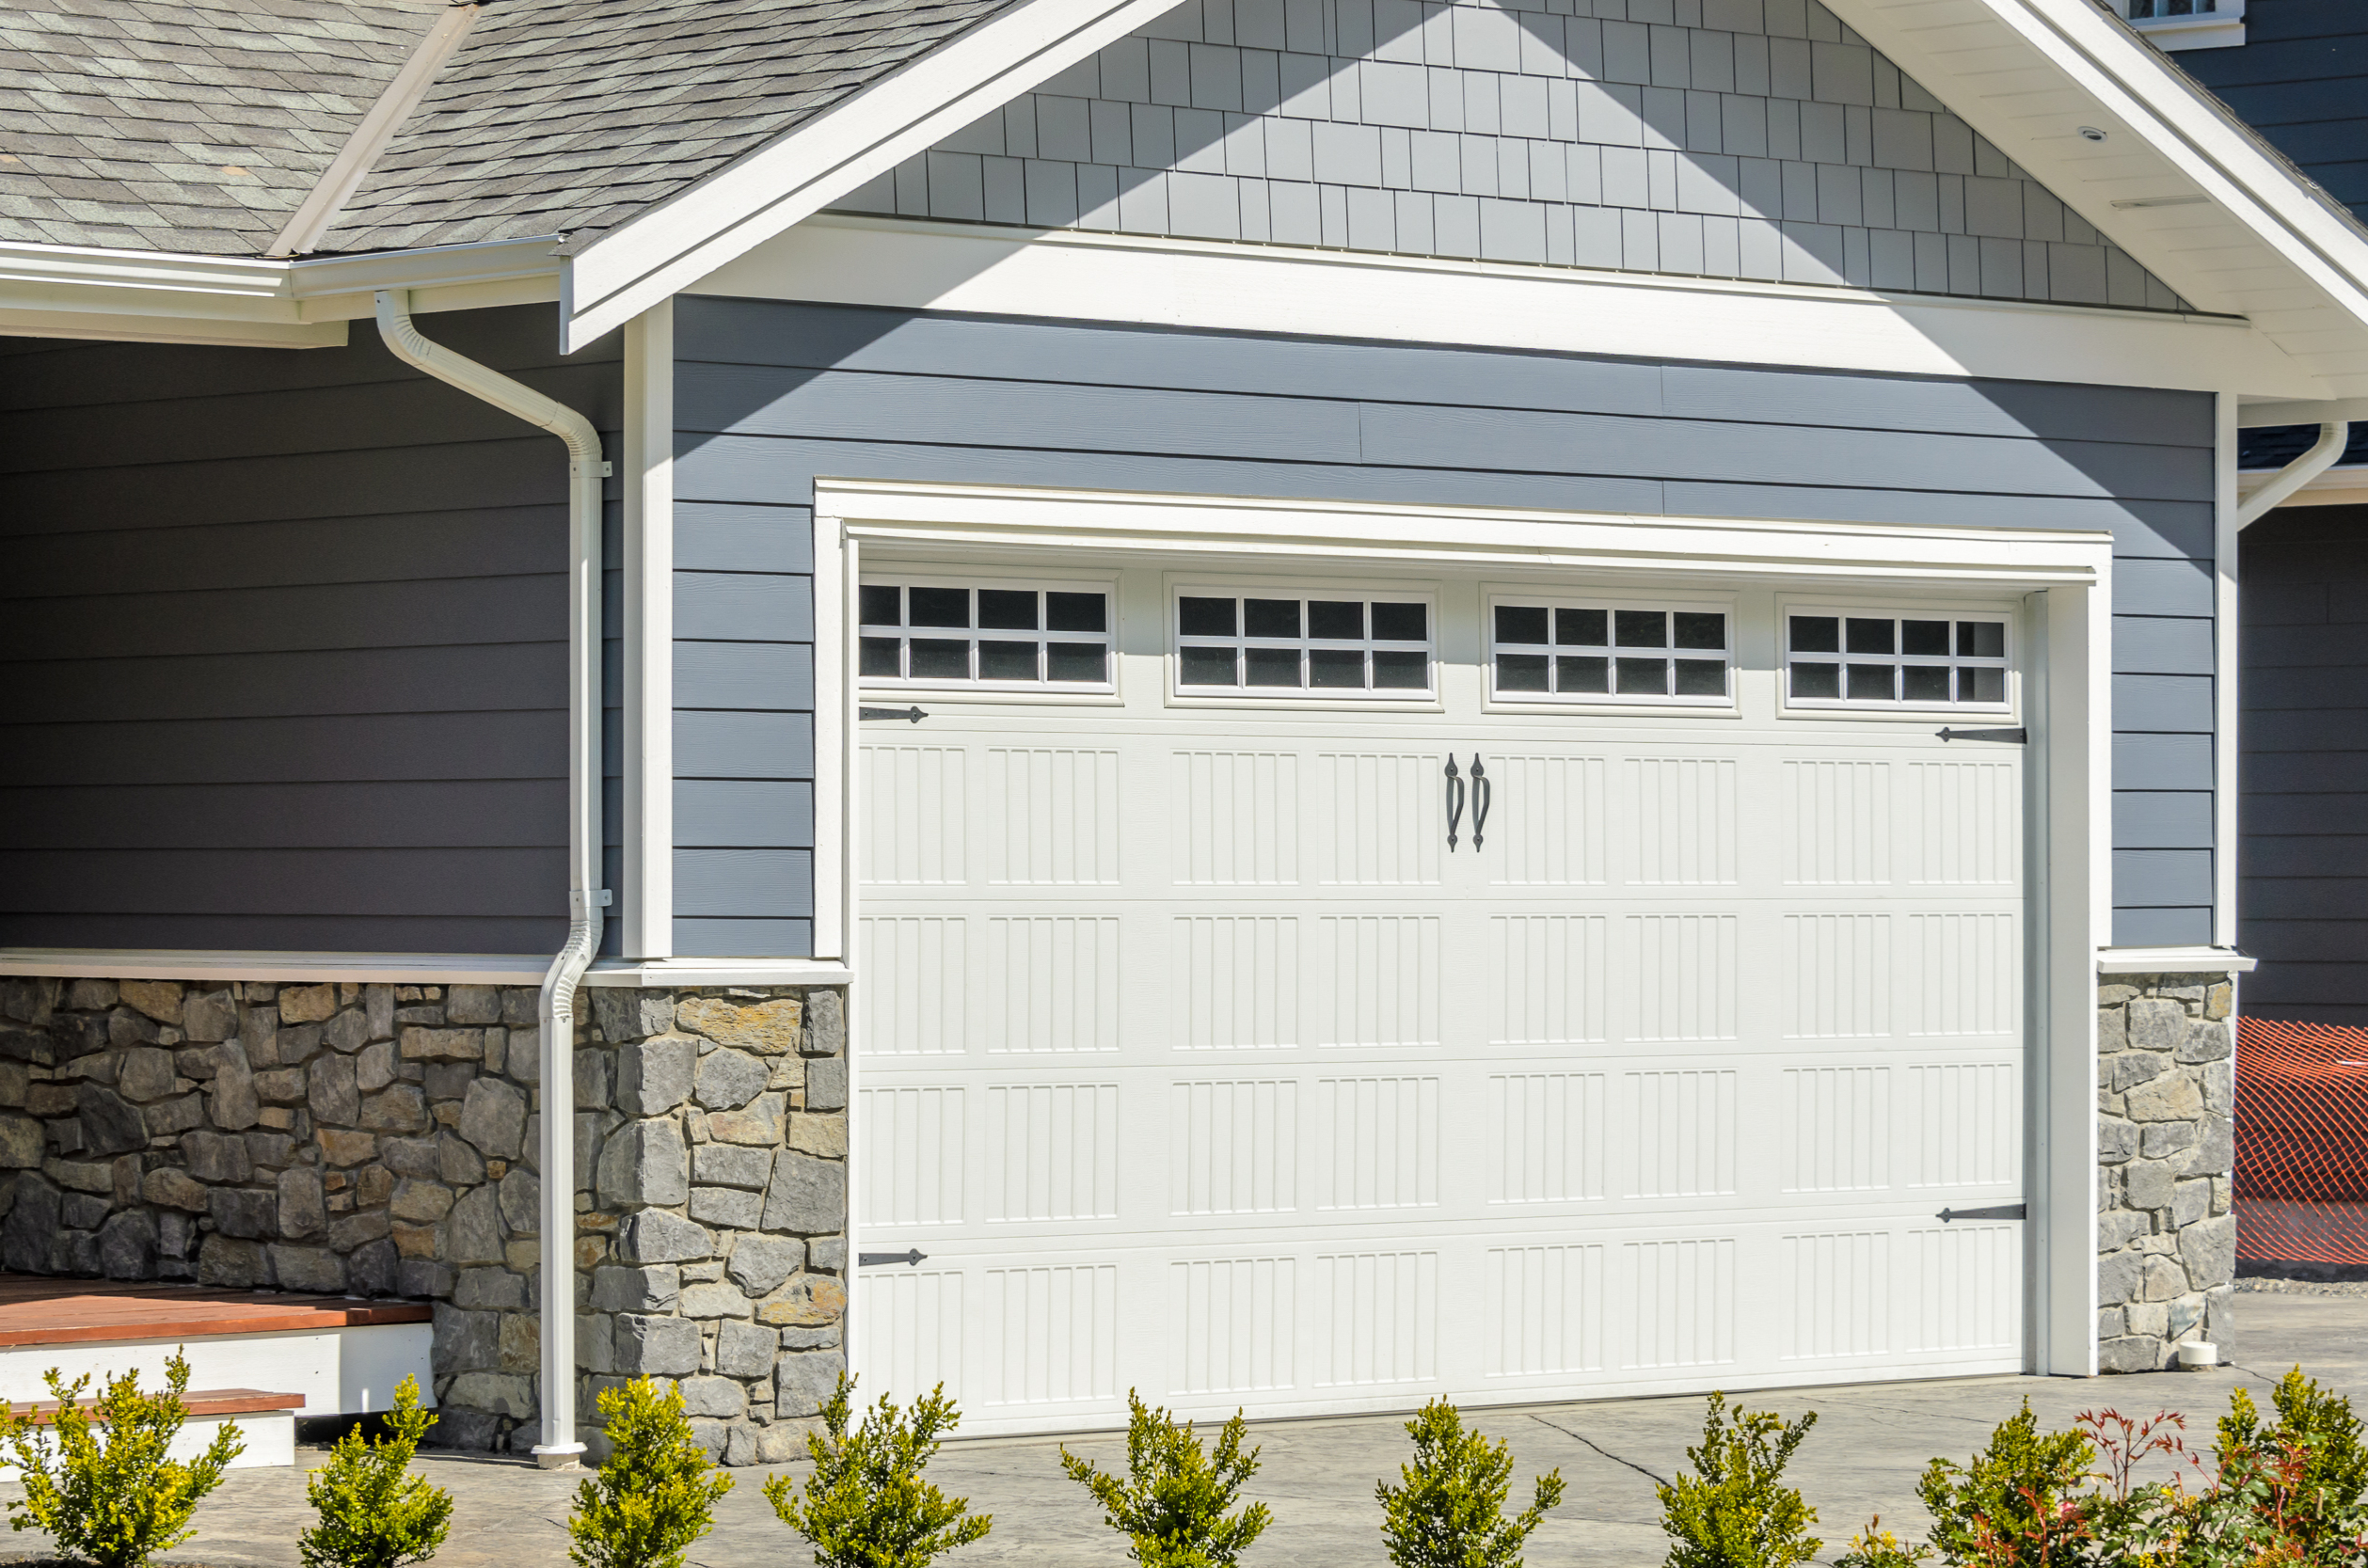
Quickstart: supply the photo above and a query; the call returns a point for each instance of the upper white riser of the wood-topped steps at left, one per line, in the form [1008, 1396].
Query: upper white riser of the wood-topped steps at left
[335, 1370]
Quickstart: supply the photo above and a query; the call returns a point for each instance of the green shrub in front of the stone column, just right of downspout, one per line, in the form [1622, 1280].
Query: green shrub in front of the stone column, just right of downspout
[655, 1496]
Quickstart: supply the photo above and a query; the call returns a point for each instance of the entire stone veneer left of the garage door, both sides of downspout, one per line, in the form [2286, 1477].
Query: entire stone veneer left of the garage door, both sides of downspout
[380, 1140]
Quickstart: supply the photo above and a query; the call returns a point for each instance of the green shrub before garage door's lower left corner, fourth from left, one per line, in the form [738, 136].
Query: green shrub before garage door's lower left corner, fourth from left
[866, 1505]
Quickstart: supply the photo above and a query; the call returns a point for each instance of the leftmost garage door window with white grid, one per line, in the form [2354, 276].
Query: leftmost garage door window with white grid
[1003, 636]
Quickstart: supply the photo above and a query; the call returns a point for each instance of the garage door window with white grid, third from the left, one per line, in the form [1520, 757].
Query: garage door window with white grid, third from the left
[1547, 650]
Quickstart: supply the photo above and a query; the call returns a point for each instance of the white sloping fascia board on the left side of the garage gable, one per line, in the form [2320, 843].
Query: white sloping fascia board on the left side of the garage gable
[678, 243]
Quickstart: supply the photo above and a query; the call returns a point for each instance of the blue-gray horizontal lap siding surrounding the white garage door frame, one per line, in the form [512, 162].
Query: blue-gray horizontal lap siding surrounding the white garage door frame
[773, 394]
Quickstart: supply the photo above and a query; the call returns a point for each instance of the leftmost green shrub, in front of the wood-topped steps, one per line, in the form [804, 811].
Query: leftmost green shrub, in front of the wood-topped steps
[112, 1500]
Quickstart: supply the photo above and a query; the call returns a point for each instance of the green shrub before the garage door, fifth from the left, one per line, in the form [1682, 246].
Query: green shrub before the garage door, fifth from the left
[1173, 1500]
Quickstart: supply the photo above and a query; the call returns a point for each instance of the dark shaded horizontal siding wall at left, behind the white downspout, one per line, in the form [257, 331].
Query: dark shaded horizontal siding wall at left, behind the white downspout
[283, 645]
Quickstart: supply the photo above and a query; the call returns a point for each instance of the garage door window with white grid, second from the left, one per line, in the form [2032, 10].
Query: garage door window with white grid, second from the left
[1282, 645]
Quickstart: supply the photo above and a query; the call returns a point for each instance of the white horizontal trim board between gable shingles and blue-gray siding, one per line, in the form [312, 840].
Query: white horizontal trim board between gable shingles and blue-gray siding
[1268, 288]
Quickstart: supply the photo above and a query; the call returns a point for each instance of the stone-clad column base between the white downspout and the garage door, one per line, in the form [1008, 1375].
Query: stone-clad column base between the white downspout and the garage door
[716, 1221]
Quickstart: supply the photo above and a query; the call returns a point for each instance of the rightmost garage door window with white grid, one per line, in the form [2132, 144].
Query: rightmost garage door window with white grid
[1896, 662]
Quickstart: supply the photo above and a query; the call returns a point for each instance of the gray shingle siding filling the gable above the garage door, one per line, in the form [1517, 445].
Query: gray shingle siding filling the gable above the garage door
[1720, 139]
